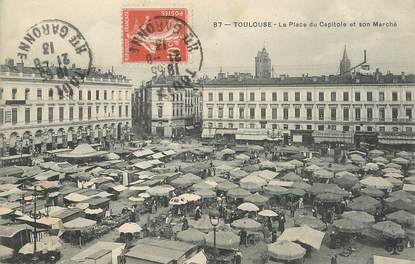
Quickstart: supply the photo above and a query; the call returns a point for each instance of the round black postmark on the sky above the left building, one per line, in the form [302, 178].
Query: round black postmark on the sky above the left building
[56, 50]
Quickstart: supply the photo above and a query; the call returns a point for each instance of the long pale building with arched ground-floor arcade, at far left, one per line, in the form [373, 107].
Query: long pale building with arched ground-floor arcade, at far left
[35, 115]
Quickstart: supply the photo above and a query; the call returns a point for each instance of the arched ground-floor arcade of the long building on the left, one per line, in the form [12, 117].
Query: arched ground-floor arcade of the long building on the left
[39, 139]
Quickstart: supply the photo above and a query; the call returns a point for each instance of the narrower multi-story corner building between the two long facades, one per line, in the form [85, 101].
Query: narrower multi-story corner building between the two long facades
[165, 110]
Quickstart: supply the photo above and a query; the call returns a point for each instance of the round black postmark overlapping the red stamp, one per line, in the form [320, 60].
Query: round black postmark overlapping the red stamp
[171, 47]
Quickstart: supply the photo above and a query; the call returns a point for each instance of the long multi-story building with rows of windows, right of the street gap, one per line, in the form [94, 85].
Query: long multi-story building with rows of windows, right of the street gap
[326, 105]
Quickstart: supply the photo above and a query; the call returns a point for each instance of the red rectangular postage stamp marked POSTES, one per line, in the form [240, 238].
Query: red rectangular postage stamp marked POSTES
[154, 34]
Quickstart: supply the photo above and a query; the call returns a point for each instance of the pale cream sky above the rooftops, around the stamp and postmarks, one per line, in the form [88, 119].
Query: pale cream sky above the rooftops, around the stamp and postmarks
[293, 51]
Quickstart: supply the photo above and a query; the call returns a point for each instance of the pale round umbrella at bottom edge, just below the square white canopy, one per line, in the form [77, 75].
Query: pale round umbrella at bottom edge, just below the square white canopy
[286, 250]
